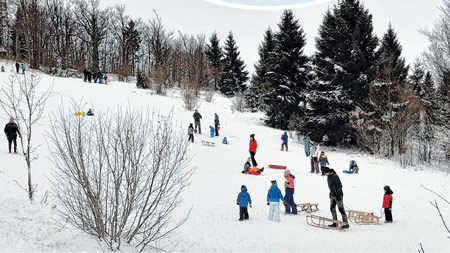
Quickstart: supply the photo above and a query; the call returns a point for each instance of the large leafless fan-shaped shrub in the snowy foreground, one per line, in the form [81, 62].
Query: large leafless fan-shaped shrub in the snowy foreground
[119, 176]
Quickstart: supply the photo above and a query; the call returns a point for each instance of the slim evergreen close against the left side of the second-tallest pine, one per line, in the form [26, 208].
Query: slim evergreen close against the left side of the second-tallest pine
[258, 83]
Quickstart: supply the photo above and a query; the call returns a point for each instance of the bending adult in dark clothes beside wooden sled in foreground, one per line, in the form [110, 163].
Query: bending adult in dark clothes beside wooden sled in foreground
[336, 195]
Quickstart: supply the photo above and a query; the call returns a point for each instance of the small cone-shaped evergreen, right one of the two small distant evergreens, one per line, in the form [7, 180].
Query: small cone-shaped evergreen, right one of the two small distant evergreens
[233, 76]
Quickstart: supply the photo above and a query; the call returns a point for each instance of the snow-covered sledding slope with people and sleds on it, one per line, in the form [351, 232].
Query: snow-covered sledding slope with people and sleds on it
[213, 224]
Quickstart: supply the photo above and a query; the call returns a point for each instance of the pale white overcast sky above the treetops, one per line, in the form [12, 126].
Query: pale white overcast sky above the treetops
[248, 26]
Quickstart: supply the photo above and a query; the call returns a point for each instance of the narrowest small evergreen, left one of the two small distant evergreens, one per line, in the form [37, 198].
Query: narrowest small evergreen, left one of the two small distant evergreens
[215, 55]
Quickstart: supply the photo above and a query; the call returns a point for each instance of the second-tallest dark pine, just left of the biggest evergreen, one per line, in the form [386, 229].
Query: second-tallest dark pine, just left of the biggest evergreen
[288, 77]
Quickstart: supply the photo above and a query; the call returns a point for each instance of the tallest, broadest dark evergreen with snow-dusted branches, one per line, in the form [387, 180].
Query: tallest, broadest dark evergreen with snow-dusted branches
[345, 63]
